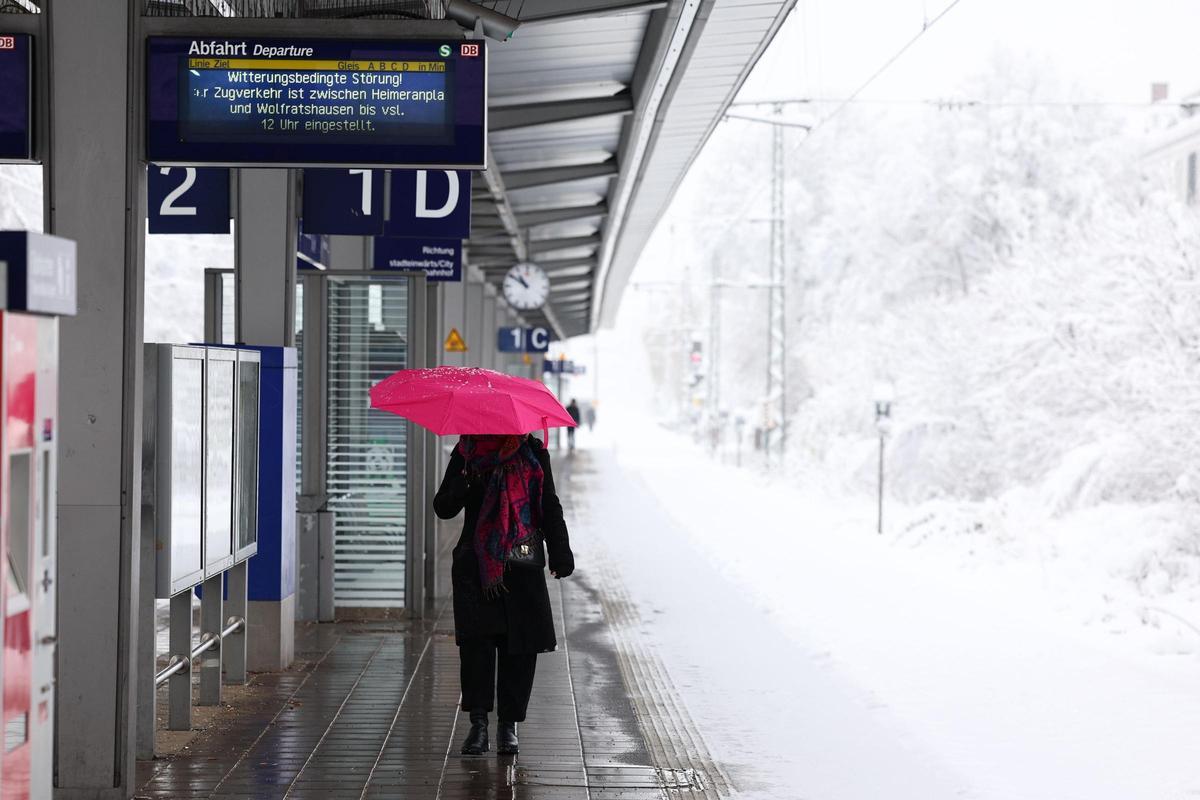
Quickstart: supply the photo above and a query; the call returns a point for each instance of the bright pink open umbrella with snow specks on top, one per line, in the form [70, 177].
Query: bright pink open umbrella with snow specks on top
[469, 400]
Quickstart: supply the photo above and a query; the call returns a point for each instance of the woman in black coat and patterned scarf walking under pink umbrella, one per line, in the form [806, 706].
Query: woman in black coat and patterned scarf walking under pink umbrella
[501, 604]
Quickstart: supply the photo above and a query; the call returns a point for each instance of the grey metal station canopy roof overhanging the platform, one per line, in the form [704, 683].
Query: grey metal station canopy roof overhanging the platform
[597, 111]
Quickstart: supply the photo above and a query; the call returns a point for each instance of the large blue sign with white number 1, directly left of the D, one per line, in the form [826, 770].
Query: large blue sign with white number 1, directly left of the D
[347, 202]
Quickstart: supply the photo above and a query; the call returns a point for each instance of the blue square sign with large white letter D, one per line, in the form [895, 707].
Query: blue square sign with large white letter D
[430, 203]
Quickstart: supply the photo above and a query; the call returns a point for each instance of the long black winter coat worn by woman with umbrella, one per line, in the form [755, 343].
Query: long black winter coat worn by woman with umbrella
[523, 613]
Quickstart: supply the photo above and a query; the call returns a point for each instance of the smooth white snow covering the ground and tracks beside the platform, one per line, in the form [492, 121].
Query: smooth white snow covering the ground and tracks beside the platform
[1018, 665]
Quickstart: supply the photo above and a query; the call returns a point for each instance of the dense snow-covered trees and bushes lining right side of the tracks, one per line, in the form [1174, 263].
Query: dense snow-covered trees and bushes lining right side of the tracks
[1011, 267]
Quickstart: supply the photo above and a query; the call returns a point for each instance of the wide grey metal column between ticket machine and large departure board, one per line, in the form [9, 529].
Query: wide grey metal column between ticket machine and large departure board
[95, 195]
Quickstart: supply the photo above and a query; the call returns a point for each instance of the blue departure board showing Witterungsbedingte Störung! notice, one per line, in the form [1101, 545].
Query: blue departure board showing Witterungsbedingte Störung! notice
[316, 103]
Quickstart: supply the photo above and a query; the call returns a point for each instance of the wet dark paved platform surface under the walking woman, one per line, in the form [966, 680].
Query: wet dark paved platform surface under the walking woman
[371, 711]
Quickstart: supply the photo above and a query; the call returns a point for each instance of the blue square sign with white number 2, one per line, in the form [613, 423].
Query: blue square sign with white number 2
[188, 200]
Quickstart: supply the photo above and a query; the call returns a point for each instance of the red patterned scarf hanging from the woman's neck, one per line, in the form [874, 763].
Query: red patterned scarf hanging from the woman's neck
[512, 507]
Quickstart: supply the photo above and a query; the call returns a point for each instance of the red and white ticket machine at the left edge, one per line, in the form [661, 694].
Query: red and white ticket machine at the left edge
[39, 276]
